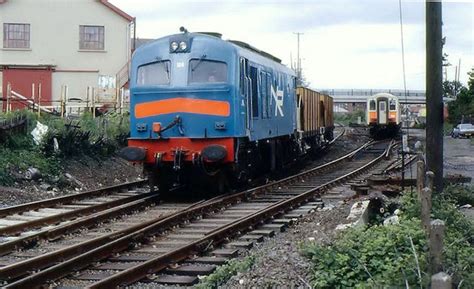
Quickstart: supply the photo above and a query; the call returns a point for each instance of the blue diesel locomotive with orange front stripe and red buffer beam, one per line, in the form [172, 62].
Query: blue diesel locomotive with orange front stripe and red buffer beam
[206, 110]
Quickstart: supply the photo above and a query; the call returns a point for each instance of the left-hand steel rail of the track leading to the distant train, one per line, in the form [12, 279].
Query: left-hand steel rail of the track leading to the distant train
[123, 243]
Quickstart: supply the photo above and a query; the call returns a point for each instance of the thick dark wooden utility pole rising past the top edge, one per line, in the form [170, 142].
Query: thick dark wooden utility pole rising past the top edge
[434, 92]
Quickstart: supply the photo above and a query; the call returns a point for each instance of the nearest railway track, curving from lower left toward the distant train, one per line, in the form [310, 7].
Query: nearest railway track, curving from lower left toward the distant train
[139, 250]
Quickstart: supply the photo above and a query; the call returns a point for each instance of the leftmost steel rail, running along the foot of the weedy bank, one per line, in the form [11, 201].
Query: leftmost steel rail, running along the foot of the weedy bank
[66, 199]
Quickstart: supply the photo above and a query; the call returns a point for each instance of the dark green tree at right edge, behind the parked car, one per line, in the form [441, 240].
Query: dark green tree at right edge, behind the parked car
[462, 109]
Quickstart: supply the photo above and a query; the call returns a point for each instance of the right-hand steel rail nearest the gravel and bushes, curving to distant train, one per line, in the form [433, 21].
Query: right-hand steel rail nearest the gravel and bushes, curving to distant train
[156, 264]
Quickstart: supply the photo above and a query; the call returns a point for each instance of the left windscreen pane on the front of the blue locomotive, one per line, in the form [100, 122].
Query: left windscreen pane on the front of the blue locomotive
[156, 73]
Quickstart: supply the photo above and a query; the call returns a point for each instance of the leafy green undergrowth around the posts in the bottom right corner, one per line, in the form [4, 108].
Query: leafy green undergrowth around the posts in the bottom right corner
[396, 255]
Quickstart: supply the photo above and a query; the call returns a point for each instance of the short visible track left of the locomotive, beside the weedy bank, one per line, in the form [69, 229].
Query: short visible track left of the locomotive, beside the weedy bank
[28, 223]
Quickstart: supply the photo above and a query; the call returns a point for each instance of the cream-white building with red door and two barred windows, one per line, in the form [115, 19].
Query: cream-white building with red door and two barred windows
[76, 43]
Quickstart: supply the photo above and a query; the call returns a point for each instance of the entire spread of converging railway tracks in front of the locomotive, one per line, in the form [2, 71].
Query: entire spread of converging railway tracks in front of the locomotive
[121, 235]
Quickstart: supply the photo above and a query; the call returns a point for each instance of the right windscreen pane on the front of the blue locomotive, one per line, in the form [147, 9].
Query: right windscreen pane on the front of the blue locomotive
[207, 71]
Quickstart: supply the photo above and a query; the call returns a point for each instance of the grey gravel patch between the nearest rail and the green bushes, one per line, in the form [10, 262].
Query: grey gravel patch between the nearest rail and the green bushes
[279, 262]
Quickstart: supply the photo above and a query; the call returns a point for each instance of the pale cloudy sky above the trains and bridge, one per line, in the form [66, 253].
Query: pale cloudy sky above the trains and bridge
[345, 43]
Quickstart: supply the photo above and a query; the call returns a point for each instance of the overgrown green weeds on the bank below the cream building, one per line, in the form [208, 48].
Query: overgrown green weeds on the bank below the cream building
[99, 137]
